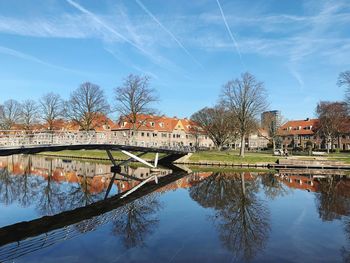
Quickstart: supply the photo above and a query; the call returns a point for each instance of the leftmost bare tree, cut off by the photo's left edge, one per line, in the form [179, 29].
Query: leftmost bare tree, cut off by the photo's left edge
[10, 114]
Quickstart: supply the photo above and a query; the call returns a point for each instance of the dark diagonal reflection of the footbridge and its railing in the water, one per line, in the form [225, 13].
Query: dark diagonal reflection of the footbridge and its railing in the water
[48, 230]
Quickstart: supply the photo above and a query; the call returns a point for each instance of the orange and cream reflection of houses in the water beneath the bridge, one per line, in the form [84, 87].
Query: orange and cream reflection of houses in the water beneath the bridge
[95, 177]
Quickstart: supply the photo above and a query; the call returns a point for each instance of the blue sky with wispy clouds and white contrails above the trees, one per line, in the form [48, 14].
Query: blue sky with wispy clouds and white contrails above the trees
[190, 49]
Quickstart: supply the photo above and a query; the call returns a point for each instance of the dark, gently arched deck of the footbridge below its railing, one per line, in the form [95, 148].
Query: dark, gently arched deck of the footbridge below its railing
[32, 149]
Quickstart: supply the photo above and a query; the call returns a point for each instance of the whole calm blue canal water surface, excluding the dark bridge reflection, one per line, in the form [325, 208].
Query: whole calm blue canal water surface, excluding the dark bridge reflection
[226, 216]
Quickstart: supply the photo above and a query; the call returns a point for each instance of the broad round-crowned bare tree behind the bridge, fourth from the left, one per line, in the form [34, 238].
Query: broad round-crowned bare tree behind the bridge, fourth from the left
[85, 105]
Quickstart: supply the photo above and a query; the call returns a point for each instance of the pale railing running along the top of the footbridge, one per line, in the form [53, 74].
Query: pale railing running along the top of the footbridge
[20, 138]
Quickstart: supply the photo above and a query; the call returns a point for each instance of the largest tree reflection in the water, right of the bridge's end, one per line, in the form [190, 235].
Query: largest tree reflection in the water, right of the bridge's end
[241, 218]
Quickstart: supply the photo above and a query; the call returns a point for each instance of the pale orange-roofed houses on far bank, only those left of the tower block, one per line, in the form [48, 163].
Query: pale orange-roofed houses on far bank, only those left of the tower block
[150, 130]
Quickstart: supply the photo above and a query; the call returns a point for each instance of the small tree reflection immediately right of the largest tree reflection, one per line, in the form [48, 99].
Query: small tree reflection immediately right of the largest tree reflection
[273, 187]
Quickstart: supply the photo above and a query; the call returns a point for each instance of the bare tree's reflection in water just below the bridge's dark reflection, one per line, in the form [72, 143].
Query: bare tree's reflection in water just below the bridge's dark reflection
[136, 220]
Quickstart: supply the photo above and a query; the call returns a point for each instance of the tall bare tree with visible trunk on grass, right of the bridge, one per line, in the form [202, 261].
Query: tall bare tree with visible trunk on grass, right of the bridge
[246, 99]
